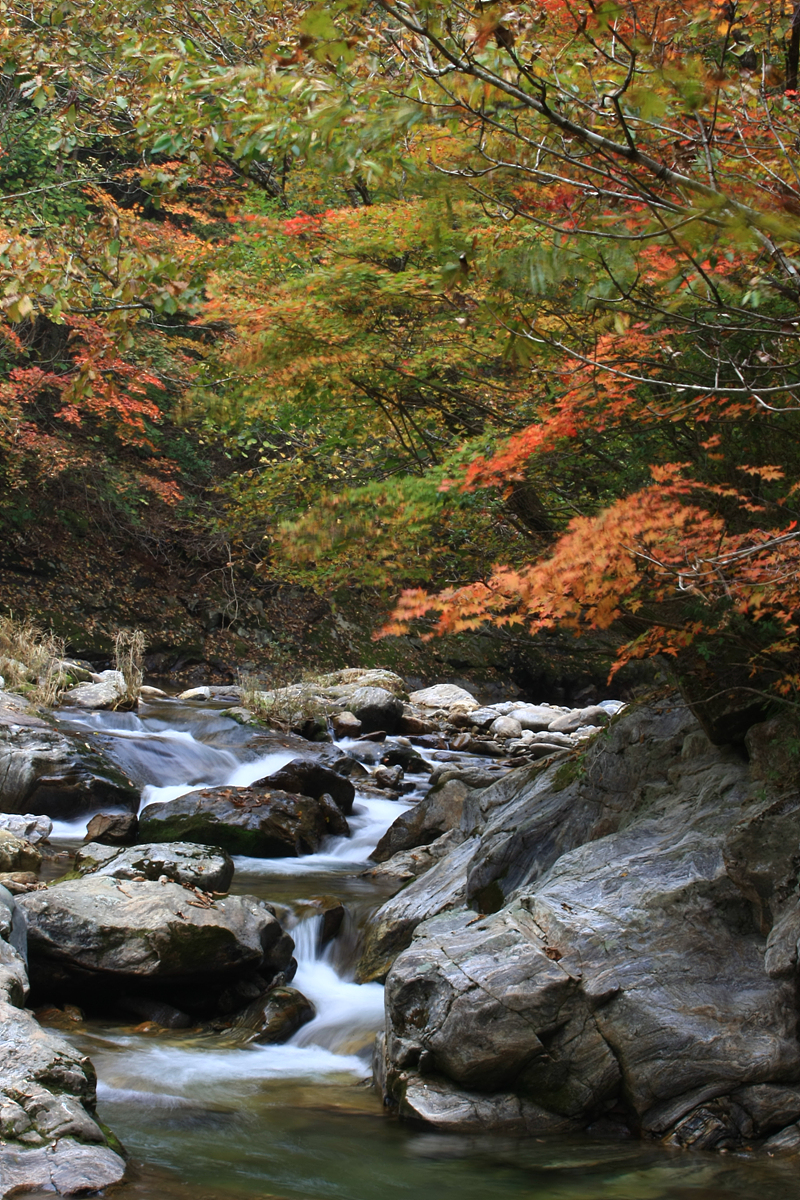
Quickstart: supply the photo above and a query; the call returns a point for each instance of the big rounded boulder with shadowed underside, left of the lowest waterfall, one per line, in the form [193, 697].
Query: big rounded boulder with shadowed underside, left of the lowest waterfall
[99, 938]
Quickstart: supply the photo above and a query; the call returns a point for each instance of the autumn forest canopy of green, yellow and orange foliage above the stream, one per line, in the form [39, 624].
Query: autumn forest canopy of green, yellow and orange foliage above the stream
[494, 307]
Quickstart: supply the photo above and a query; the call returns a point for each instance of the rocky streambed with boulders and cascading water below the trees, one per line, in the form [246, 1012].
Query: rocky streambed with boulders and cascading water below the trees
[586, 922]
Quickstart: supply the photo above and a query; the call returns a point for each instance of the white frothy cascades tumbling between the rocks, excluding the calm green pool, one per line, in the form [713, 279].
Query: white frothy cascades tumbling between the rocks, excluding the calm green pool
[171, 760]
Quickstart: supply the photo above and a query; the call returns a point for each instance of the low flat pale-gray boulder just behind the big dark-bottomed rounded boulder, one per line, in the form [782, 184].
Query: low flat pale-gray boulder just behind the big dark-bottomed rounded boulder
[207, 868]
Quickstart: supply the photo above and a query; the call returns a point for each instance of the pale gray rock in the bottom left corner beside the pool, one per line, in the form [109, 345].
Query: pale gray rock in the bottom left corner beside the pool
[50, 1139]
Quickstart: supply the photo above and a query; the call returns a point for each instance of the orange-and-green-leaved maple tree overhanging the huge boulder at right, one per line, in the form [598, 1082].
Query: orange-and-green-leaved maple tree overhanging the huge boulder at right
[651, 154]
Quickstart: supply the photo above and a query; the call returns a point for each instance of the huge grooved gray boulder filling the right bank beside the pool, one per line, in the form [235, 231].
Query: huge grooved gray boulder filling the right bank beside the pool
[631, 949]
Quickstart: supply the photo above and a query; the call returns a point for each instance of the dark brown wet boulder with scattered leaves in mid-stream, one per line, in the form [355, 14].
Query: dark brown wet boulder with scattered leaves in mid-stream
[255, 821]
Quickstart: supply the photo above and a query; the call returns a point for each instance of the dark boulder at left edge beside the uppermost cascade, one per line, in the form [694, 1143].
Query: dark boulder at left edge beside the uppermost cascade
[44, 772]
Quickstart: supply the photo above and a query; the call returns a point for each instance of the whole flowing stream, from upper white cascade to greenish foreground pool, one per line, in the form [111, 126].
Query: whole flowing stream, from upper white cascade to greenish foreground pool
[206, 1120]
